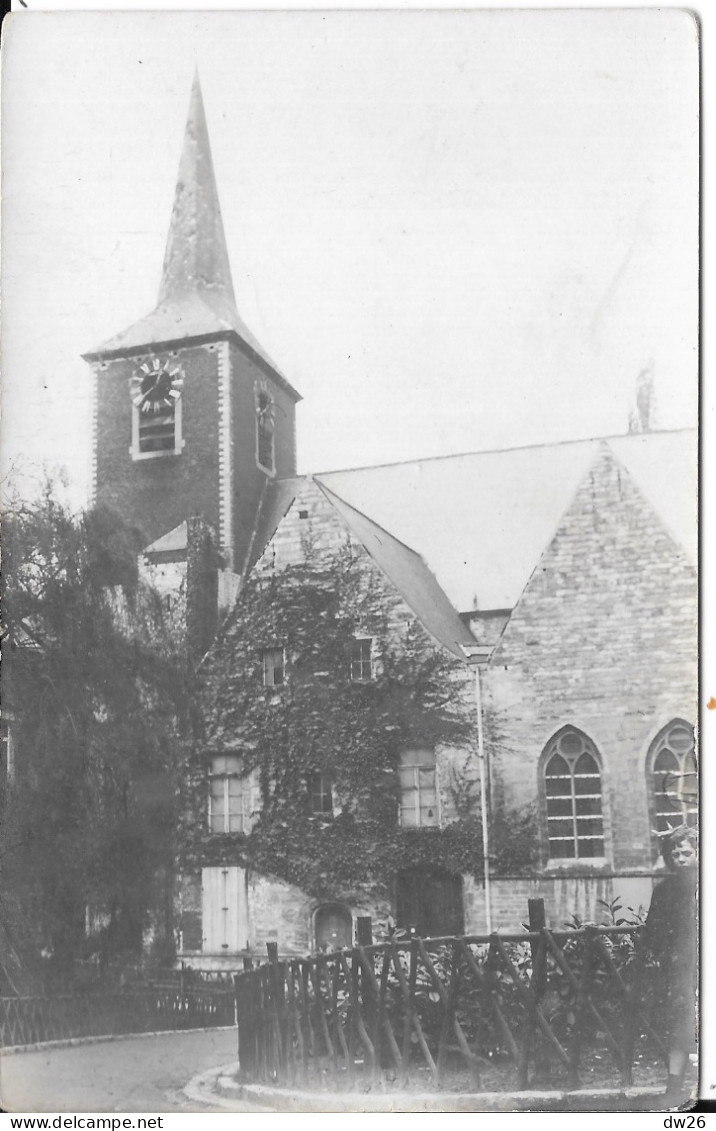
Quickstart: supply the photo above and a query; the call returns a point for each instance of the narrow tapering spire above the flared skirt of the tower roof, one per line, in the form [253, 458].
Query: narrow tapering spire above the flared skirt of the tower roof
[196, 260]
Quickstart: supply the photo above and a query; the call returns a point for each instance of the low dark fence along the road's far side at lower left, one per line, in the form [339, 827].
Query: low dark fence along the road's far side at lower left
[31, 1021]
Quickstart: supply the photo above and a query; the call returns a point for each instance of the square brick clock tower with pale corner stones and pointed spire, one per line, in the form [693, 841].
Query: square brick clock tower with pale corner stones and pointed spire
[192, 415]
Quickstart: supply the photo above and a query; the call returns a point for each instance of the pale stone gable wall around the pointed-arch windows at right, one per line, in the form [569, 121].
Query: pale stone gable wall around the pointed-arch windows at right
[605, 640]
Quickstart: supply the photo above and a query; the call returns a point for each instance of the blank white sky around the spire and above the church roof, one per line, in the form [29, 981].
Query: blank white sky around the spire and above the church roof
[453, 231]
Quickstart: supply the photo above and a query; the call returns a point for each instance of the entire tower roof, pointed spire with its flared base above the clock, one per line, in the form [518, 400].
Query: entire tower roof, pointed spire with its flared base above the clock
[196, 295]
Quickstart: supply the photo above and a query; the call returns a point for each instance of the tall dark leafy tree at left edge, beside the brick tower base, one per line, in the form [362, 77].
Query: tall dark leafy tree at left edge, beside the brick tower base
[96, 689]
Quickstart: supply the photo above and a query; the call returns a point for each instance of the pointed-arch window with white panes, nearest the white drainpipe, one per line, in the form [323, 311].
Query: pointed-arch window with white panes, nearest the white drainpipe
[574, 798]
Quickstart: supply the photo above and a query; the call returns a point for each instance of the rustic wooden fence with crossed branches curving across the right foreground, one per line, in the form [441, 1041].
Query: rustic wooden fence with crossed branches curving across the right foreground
[477, 1011]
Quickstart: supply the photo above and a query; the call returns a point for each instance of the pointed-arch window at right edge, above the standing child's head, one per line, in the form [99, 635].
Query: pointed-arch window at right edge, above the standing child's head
[671, 764]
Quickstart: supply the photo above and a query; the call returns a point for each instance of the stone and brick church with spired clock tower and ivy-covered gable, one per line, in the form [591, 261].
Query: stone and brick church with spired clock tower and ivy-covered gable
[430, 690]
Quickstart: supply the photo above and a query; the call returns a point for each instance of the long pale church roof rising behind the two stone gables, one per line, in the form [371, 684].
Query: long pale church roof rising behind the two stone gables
[482, 521]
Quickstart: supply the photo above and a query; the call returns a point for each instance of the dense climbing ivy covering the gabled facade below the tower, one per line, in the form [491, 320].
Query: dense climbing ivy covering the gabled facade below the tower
[320, 721]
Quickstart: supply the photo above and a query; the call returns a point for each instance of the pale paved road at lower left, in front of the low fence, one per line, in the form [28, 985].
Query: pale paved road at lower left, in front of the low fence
[132, 1075]
